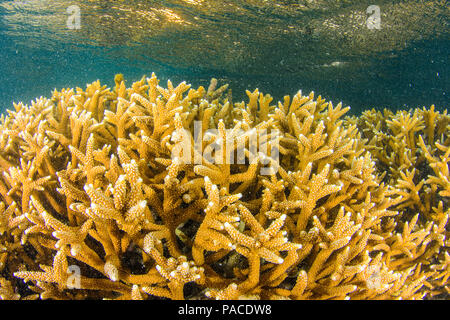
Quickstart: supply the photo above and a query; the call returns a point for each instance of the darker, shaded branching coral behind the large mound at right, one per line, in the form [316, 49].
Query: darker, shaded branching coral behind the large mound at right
[412, 149]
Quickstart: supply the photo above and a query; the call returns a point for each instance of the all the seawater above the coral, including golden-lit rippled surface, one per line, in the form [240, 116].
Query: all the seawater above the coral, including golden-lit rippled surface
[280, 47]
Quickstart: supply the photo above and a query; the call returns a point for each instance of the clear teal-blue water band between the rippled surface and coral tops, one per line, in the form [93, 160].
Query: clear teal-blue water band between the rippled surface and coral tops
[417, 75]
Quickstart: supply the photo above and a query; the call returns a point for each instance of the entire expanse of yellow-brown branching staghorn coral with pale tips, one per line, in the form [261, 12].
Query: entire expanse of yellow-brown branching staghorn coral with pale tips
[94, 205]
